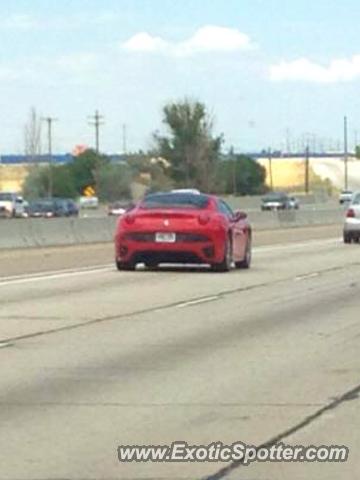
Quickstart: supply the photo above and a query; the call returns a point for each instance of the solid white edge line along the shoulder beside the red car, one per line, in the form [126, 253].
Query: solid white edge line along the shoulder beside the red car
[59, 274]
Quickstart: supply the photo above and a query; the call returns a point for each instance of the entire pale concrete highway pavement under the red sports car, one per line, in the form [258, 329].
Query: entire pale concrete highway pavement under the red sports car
[92, 359]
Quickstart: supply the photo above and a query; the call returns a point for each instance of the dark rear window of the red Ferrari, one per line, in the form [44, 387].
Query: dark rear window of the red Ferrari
[175, 200]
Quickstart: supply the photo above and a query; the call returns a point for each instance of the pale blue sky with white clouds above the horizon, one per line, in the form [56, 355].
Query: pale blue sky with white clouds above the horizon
[271, 72]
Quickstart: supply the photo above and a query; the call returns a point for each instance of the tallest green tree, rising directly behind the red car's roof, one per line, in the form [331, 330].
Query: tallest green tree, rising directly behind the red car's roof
[190, 146]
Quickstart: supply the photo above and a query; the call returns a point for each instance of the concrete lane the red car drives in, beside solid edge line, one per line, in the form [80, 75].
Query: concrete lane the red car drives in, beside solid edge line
[31, 305]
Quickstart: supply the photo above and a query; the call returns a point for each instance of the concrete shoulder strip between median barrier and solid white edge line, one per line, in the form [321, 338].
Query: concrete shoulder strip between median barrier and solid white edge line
[36, 260]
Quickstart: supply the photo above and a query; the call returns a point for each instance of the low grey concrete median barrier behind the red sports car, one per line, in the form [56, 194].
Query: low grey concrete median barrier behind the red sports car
[25, 233]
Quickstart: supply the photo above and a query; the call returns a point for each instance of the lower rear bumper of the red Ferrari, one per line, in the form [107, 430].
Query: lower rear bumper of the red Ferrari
[211, 251]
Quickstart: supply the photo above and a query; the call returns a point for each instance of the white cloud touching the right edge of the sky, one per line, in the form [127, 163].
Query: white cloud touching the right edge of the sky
[338, 70]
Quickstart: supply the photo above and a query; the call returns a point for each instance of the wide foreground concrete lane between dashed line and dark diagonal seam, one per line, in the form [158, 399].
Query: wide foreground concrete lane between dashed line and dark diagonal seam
[242, 368]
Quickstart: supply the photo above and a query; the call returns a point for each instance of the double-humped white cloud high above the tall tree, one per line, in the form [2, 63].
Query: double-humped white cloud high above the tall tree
[205, 40]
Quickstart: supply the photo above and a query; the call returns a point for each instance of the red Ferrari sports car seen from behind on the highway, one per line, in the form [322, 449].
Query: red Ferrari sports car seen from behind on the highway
[180, 227]
